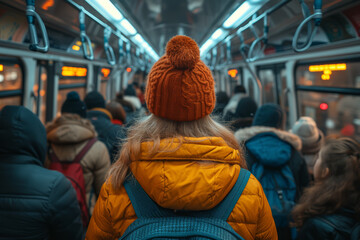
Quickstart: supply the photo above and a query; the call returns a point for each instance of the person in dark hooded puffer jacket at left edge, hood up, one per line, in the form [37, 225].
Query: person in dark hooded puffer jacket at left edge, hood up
[35, 203]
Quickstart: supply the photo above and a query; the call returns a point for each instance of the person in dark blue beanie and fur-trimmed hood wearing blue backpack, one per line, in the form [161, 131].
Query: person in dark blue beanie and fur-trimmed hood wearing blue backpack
[271, 151]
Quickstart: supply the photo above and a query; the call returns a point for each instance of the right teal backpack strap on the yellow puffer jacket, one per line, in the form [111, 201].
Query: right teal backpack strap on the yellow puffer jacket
[225, 207]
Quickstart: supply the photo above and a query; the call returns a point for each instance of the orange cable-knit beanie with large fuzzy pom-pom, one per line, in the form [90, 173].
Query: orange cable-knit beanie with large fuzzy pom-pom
[180, 86]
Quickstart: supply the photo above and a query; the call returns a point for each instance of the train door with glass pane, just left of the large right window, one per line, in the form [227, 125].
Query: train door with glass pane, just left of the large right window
[273, 79]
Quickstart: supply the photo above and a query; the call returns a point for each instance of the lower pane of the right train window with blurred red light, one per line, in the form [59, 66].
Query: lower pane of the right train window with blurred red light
[334, 113]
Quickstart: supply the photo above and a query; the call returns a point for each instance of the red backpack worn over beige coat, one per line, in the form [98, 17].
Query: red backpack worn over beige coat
[73, 171]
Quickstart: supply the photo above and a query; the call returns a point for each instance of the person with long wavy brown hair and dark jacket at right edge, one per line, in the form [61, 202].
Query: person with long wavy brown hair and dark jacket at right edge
[330, 209]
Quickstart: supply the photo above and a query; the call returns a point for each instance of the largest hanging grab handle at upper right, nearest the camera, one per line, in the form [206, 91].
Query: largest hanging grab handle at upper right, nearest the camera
[316, 16]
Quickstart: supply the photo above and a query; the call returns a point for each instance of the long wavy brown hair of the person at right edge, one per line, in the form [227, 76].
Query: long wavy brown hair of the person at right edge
[340, 188]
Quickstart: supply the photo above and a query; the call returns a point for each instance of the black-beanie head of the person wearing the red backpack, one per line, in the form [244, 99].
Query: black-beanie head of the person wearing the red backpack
[74, 105]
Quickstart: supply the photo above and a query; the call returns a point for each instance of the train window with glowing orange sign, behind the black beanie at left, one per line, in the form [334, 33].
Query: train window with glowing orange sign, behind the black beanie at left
[73, 78]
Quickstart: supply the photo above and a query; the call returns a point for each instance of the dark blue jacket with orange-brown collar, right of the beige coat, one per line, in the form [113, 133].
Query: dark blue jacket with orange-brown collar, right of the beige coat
[110, 134]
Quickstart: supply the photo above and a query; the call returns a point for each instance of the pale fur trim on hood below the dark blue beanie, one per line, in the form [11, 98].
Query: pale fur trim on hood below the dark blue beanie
[245, 134]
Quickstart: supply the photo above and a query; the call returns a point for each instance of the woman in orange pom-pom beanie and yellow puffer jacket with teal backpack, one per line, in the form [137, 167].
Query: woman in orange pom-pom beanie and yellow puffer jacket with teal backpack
[185, 165]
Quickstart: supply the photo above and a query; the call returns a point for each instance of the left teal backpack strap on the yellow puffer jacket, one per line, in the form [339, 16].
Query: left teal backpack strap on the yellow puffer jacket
[143, 205]
